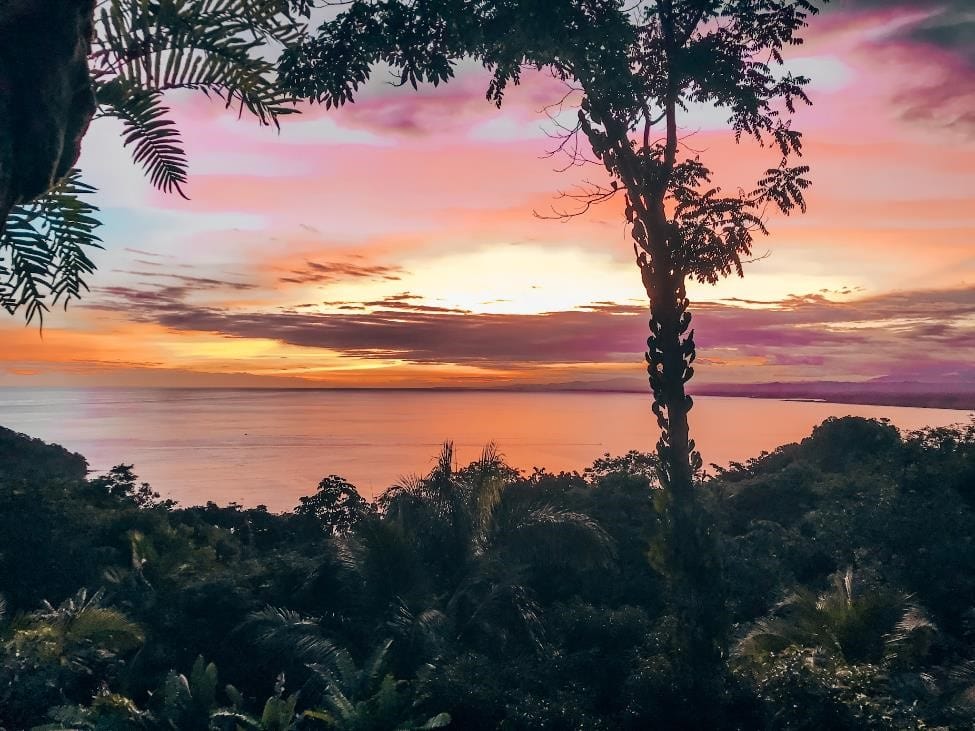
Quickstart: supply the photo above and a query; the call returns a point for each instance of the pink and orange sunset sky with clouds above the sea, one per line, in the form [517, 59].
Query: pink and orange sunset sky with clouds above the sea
[393, 243]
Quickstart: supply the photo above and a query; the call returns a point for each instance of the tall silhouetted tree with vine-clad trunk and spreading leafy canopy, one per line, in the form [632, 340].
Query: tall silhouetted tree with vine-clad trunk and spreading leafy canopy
[634, 67]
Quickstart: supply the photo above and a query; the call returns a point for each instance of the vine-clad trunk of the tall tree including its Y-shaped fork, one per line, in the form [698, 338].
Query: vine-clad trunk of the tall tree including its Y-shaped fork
[688, 556]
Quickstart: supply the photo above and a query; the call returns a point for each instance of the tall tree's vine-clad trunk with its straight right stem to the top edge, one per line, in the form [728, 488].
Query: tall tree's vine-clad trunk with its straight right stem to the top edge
[670, 355]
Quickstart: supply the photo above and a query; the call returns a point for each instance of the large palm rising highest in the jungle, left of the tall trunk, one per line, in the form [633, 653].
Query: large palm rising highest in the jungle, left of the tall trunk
[483, 540]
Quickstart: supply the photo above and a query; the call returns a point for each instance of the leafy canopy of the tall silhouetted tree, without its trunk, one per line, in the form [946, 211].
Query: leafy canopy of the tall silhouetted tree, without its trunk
[630, 60]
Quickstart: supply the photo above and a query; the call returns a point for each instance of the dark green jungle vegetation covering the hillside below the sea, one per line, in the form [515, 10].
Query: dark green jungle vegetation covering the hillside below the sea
[488, 599]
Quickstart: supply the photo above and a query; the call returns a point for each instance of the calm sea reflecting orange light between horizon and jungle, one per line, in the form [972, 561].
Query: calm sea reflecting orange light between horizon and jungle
[270, 447]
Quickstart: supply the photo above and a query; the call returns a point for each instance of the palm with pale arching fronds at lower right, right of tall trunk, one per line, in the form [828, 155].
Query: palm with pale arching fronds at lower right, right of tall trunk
[827, 660]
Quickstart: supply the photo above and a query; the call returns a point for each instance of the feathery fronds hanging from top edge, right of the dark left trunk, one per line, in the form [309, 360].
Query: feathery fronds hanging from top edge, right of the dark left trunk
[146, 49]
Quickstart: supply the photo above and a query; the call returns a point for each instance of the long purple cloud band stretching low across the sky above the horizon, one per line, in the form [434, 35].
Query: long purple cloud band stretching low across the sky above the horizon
[886, 334]
